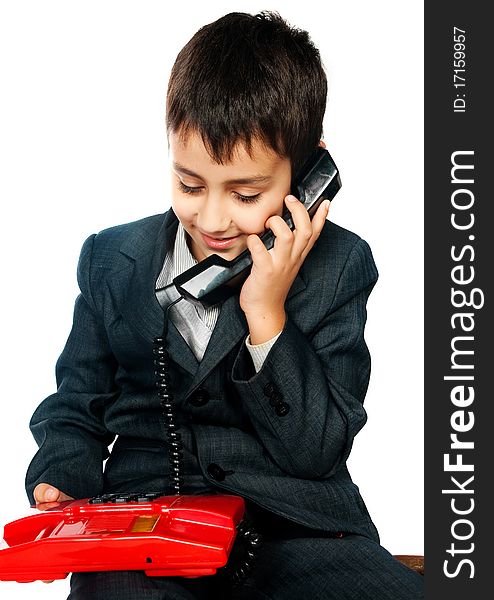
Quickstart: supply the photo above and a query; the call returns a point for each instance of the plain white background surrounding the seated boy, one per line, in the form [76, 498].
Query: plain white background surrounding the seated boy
[83, 147]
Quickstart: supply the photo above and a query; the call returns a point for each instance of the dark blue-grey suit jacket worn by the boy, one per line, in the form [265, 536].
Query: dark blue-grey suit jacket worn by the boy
[291, 462]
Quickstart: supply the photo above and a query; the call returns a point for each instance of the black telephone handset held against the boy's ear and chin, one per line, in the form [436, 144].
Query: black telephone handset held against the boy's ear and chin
[214, 279]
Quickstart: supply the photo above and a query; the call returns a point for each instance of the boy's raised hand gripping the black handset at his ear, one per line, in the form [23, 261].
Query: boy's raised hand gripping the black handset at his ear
[264, 292]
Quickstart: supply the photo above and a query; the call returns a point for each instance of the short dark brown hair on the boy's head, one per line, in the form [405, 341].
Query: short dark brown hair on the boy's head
[247, 77]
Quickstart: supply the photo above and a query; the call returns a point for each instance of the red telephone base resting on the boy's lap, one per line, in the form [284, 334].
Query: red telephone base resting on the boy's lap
[187, 536]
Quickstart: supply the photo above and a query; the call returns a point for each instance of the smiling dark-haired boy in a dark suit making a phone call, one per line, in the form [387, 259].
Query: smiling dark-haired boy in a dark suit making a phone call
[268, 385]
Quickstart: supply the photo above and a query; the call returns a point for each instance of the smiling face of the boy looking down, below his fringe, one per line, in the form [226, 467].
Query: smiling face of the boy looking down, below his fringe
[215, 202]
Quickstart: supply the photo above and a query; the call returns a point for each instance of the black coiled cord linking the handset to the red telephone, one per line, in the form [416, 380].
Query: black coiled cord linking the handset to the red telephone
[243, 564]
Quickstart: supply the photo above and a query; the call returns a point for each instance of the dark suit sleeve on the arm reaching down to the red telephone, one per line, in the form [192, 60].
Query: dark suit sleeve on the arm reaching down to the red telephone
[68, 426]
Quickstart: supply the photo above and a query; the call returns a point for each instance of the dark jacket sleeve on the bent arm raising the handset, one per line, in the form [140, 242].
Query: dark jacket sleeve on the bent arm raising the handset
[306, 402]
